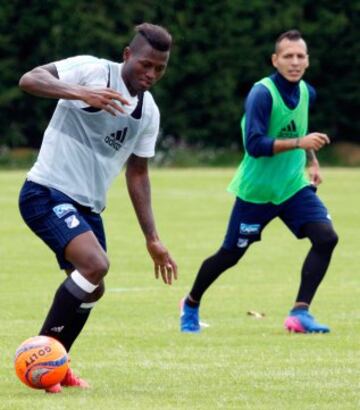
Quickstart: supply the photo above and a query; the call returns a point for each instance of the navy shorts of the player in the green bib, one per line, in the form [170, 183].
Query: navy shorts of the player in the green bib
[248, 219]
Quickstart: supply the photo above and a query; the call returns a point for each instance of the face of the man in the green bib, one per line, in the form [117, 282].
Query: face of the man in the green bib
[291, 59]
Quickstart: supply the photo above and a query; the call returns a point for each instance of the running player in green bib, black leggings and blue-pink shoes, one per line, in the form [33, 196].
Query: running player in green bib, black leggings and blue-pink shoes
[271, 182]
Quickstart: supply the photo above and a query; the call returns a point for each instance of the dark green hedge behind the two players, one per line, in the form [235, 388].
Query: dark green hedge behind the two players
[220, 49]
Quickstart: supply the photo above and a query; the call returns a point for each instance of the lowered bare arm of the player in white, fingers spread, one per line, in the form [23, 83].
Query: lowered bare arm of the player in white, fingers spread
[138, 185]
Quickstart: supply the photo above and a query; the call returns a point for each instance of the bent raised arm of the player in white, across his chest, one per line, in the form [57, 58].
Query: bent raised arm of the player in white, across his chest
[43, 81]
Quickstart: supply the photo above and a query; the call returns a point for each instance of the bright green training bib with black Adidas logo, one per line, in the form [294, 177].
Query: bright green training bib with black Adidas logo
[275, 179]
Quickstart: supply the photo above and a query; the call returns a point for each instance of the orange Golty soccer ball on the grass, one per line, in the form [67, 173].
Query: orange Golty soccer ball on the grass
[41, 362]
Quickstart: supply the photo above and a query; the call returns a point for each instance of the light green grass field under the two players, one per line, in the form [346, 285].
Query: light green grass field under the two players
[131, 350]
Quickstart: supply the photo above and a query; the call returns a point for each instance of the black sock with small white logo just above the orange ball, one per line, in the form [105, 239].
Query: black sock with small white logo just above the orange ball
[66, 318]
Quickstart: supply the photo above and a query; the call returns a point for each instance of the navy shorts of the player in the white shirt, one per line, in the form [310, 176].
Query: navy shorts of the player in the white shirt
[57, 219]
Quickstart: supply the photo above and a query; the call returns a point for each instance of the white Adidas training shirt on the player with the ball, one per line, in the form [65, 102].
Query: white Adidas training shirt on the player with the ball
[82, 152]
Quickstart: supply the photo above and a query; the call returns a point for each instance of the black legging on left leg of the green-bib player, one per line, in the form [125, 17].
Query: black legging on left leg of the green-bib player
[212, 268]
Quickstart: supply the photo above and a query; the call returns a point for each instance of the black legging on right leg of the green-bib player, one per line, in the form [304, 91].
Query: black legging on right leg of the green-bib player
[324, 240]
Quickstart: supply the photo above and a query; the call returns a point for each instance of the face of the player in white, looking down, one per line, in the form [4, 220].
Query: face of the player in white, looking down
[143, 67]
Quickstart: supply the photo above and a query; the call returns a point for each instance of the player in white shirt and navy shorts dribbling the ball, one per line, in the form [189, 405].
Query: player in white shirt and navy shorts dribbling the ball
[105, 119]
